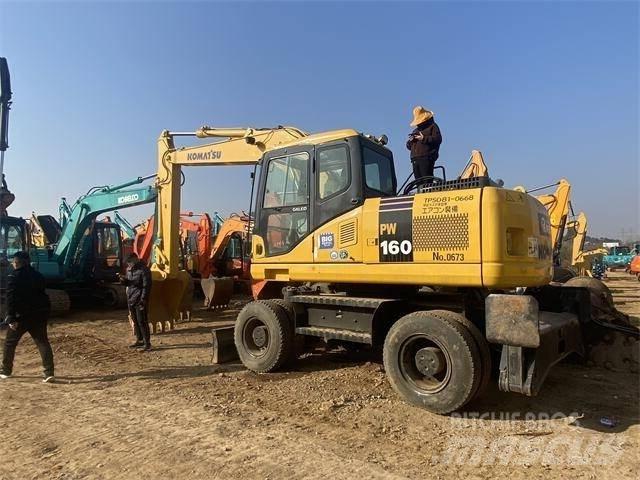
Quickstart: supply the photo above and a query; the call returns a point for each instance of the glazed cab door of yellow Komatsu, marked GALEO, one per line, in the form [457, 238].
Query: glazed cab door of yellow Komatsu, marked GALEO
[284, 213]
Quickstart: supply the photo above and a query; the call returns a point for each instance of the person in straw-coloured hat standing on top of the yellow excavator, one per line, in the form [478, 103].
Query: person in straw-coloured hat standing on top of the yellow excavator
[424, 143]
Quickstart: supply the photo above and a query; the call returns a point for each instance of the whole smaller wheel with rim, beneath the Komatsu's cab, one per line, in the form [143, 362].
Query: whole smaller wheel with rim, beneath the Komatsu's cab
[263, 336]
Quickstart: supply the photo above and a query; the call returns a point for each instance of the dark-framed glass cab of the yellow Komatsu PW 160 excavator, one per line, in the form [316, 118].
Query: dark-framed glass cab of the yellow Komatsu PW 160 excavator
[303, 187]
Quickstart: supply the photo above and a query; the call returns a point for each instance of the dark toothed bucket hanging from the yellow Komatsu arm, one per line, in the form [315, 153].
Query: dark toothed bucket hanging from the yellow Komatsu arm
[169, 296]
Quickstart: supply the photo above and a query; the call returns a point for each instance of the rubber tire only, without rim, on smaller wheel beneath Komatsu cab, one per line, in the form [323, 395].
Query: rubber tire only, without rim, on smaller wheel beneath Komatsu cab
[280, 336]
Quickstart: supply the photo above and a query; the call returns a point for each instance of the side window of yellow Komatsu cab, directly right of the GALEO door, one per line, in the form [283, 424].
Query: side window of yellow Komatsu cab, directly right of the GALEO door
[333, 171]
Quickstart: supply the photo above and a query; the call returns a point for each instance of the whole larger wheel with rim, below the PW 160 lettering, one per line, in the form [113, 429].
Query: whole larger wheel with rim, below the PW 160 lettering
[432, 362]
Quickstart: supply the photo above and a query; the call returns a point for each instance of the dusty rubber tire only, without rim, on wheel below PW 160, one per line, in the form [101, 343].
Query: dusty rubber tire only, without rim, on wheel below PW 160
[458, 341]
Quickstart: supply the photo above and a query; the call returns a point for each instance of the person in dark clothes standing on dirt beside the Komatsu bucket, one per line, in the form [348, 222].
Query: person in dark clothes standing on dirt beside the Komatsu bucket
[138, 282]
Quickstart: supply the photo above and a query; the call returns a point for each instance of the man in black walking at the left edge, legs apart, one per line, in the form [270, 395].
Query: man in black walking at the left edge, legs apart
[27, 311]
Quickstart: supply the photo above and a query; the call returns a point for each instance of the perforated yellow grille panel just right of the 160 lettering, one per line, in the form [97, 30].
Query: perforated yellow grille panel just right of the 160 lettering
[442, 232]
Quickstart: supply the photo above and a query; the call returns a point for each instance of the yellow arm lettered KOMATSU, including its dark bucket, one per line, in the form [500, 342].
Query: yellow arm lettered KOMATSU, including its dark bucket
[236, 146]
